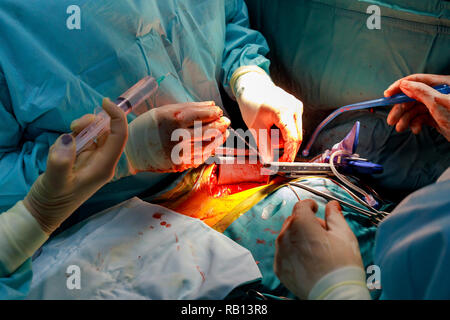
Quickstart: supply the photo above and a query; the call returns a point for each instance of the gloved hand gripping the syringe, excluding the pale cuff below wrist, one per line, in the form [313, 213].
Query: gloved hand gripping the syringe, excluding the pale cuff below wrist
[70, 180]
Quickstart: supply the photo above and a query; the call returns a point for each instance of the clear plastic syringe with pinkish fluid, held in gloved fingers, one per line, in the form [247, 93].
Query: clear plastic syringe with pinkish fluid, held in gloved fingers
[132, 98]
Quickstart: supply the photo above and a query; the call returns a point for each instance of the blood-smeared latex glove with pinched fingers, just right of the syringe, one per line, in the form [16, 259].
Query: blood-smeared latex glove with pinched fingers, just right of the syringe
[176, 137]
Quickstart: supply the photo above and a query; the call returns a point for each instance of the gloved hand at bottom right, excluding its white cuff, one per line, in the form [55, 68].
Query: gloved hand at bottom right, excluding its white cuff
[309, 248]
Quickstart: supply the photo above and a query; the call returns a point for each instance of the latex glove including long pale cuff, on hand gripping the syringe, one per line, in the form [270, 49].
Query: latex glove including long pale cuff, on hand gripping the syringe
[67, 183]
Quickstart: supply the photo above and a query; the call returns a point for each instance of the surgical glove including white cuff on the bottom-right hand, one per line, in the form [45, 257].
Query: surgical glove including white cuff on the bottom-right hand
[319, 259]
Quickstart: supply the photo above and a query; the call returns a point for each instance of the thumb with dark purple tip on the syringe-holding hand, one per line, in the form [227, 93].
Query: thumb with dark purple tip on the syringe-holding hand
[60, 161]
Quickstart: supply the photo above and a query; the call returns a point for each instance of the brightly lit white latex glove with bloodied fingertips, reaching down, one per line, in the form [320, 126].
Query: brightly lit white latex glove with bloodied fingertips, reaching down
[264, 105]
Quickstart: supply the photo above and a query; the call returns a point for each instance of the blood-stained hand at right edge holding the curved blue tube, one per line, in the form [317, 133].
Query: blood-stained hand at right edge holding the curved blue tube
[432, 108]
